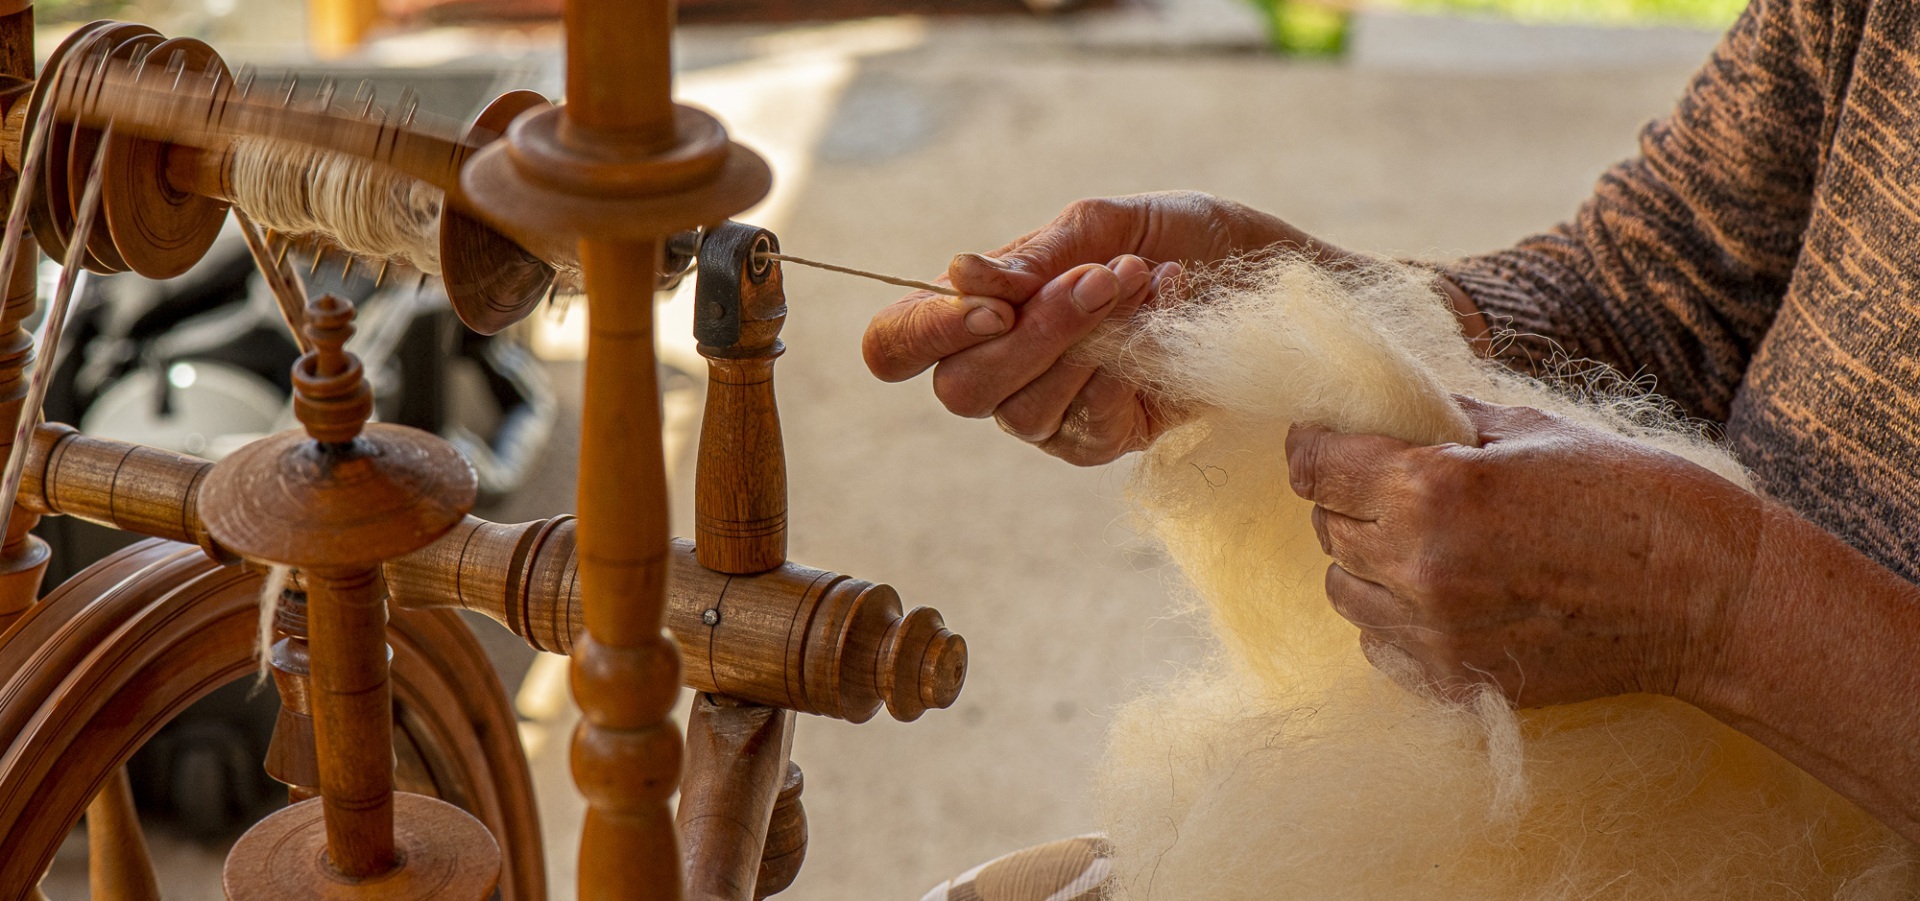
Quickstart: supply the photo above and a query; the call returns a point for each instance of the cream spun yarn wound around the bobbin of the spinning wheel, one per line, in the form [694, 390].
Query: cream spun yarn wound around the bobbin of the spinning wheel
[364, 208]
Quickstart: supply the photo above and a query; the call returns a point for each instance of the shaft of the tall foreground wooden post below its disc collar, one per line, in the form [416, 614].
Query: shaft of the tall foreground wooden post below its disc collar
[625, 670]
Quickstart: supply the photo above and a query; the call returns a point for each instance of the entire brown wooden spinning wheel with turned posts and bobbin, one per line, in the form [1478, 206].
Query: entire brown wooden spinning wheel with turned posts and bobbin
[404, 779]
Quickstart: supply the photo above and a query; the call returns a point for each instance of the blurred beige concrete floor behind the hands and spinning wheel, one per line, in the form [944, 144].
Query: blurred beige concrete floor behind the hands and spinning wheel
[900, 145]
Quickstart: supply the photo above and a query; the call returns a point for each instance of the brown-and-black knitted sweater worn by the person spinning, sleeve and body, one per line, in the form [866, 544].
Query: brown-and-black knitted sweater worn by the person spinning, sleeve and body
[1762, 262]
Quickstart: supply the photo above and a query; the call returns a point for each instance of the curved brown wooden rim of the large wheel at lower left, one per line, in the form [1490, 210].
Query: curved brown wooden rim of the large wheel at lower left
[107, 660]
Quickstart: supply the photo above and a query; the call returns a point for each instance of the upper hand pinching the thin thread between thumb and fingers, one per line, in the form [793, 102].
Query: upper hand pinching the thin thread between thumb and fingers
[999, 349]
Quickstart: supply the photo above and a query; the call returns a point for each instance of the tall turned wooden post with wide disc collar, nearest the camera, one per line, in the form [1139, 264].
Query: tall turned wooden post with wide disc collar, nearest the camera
[621, 168]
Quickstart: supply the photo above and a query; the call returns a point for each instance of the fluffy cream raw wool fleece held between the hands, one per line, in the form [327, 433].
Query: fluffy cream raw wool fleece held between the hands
[1291, 769]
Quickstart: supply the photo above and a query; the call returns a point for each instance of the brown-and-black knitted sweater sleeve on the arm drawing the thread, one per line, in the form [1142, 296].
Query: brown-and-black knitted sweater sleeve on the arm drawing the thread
[1681, 258]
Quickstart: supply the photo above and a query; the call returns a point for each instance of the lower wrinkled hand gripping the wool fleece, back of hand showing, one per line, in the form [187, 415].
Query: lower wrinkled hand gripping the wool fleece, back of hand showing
[1554, 562]
